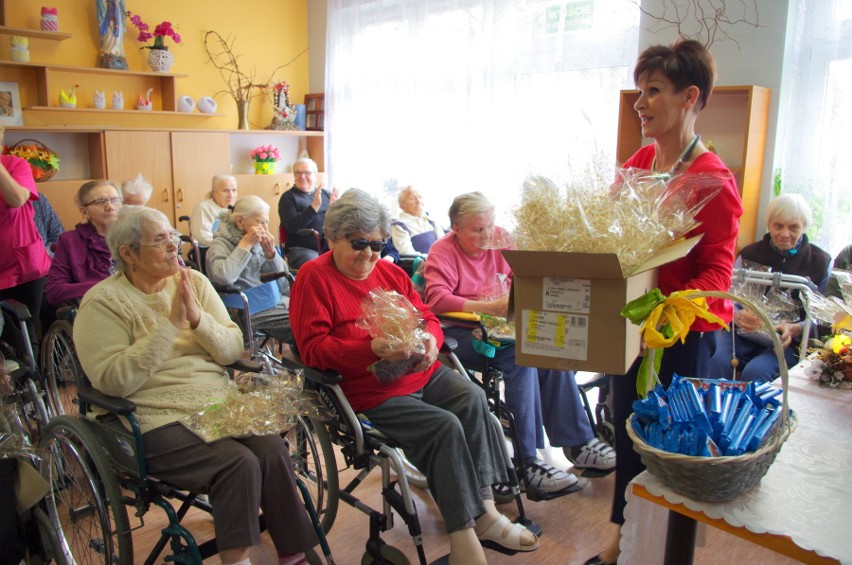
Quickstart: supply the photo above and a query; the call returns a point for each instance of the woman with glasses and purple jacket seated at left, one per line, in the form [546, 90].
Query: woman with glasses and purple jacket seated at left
[82, 258]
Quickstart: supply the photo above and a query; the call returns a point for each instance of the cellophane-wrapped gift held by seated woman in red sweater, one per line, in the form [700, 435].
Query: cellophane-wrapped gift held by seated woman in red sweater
[390, 316]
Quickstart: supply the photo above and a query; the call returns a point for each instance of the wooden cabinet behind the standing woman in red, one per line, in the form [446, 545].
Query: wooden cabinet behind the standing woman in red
[734, 123]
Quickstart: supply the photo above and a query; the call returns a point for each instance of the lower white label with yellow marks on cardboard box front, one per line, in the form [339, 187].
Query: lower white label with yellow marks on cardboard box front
[554, 334]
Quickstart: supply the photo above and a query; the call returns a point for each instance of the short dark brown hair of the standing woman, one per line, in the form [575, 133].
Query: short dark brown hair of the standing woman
[686, 63]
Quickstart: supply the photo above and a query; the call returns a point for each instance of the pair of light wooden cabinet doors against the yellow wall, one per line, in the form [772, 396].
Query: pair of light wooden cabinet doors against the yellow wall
[178, 164]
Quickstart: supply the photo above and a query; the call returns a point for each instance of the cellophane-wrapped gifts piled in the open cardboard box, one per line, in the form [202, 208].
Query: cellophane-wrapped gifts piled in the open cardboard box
[638, 215]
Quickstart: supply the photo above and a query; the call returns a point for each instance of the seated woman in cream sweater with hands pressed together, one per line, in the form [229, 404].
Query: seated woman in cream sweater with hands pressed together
[158, 335]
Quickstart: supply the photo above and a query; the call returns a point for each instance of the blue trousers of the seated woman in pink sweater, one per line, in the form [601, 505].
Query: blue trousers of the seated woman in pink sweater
[539, 399]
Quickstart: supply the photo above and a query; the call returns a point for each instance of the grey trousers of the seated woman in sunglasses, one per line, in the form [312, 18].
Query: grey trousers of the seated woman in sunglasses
[446, 431]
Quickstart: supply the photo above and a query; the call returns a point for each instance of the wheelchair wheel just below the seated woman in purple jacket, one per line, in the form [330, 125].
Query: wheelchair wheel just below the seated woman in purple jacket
[61, 368]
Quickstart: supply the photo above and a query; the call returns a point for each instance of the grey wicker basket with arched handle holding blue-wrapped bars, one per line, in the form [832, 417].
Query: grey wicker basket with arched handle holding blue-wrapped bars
[727, 477]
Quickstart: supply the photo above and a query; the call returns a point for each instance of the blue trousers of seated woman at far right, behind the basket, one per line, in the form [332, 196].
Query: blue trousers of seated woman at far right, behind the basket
[757, 360]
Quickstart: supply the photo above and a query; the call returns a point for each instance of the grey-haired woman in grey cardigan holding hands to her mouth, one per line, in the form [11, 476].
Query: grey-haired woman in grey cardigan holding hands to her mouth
[243, 249]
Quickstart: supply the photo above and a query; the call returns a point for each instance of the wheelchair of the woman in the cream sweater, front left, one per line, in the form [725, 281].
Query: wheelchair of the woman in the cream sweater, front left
[97, 471]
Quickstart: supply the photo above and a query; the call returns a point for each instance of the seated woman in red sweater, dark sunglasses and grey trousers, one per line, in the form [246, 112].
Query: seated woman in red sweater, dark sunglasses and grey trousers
[437, 416]
